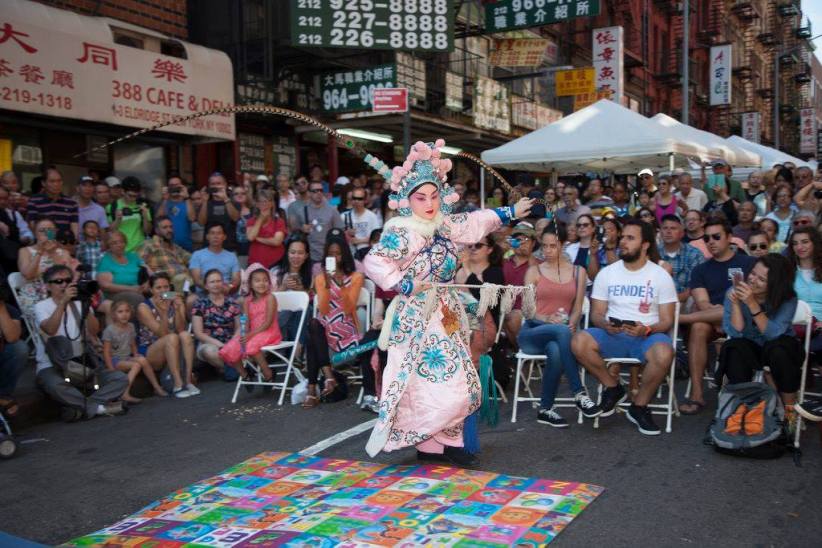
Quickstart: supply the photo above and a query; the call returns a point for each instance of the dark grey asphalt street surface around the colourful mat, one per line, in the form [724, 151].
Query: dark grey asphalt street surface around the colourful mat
[73, 479]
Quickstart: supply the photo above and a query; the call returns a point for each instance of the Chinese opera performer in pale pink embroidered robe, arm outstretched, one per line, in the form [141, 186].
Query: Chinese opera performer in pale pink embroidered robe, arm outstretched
[429, 385]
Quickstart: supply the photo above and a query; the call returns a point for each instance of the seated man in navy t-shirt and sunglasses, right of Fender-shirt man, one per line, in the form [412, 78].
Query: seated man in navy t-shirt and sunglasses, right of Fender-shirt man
[709, 283]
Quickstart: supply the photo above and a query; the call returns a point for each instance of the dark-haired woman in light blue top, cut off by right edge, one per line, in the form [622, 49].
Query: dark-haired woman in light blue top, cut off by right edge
[805, 251]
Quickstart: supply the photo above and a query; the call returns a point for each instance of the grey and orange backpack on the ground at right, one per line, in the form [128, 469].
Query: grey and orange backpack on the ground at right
[749, 422]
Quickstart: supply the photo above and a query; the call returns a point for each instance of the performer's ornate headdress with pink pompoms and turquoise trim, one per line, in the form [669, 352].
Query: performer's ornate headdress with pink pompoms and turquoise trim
[423, 165]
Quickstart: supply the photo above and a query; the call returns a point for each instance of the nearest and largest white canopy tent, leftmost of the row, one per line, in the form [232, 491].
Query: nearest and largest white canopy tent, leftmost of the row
[602, 137]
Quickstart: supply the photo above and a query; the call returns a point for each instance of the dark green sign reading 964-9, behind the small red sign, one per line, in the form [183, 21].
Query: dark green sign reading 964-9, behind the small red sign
[353, 90]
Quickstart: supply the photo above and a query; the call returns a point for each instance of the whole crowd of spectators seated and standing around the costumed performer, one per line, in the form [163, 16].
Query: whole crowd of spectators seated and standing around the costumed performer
[174, 282]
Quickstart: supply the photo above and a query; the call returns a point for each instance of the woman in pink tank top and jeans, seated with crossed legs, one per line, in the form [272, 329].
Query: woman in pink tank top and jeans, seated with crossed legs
[560, 291]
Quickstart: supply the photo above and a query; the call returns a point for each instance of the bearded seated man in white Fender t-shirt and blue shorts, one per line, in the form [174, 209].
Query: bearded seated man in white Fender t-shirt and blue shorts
[632, 309]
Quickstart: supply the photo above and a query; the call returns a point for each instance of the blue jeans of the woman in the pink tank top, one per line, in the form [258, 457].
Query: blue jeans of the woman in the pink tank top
[554, 341]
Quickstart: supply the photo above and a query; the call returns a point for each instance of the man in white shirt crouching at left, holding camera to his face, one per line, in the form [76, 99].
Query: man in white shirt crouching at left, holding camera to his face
[57, 316]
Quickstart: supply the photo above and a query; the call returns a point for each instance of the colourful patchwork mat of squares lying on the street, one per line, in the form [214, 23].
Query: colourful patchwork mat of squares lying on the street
[284, 499]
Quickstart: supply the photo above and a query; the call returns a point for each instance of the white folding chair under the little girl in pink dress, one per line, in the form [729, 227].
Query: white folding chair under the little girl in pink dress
[283, 353]
